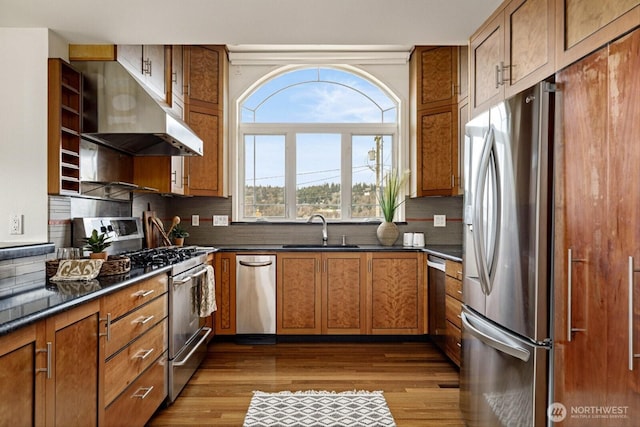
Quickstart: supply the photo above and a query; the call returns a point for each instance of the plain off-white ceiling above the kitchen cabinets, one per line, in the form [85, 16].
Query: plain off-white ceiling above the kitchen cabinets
[363, 23]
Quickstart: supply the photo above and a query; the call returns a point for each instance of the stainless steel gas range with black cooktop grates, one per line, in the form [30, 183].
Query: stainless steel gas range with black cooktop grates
[187, 333]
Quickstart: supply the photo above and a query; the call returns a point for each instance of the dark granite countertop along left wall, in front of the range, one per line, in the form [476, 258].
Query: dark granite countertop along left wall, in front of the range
[27, 307]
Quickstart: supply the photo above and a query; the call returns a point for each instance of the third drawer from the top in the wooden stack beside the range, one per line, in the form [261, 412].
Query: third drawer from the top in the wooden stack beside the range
[123, 369]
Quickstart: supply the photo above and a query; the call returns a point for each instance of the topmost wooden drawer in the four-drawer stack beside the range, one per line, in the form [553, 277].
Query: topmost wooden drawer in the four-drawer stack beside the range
[135, 295]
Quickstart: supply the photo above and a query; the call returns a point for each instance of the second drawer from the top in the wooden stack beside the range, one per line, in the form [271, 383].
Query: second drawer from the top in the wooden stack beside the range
[129, 327]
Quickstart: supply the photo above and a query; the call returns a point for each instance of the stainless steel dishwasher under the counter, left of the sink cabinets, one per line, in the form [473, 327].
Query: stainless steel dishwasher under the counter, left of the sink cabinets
[256, 299]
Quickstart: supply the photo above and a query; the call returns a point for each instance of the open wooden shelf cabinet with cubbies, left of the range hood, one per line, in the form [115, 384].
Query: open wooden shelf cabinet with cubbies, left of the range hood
[64, 127]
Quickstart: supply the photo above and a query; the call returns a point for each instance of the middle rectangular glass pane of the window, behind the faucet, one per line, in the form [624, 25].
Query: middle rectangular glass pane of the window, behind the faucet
[318, 175]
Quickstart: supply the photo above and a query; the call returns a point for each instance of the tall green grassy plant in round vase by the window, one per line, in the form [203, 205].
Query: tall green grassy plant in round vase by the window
[389, 200]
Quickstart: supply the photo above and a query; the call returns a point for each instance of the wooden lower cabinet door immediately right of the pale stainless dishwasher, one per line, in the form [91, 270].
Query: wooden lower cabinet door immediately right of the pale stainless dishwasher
[298, 293]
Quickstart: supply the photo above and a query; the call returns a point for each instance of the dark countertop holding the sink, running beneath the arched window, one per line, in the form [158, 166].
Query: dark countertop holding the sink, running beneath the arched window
[452, 252]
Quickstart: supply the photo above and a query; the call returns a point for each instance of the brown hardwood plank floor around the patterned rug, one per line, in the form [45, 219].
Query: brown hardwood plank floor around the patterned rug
[419, 383]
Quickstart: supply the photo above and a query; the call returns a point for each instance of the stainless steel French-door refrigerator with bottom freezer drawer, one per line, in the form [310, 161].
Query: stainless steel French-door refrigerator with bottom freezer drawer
[507, 215]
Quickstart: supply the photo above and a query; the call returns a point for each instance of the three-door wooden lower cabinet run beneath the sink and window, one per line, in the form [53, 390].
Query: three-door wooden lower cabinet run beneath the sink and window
[350, 293]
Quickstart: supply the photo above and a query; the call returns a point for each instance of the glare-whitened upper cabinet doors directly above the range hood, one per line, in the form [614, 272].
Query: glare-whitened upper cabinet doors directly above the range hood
[147, 62]
